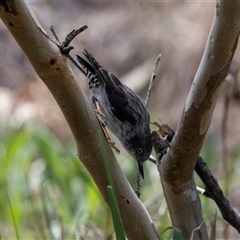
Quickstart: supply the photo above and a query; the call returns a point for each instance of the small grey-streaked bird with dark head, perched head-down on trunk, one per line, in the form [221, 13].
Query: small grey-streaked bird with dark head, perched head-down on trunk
[121, 109]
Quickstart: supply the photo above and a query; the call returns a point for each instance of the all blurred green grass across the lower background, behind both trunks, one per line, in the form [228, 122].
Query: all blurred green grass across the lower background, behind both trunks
[47, 193]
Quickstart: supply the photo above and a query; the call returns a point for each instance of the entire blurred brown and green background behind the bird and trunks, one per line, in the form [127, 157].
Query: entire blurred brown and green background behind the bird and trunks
[45, 190]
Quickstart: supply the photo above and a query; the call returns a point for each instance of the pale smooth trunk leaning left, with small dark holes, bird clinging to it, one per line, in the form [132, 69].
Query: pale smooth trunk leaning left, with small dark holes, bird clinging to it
[52, 68]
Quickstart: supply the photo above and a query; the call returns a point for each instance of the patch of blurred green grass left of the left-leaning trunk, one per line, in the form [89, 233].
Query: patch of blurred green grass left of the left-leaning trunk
[45, 190]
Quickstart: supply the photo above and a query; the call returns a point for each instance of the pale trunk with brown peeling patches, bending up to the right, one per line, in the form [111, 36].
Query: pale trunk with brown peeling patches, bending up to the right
[178, 165]
